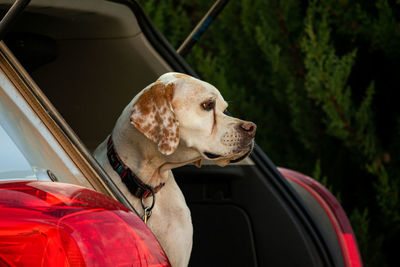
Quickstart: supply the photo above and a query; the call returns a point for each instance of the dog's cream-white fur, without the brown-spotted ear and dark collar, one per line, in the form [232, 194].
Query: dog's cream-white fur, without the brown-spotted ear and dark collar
[200, 131]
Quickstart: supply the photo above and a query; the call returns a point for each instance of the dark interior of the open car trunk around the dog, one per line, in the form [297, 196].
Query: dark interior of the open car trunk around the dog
[90, 58]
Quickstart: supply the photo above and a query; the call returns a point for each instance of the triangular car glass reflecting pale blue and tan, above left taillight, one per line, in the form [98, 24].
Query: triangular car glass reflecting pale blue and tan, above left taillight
[28, 150]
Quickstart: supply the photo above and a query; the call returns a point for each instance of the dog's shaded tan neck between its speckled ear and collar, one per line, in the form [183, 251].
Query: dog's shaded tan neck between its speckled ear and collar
[152, 168]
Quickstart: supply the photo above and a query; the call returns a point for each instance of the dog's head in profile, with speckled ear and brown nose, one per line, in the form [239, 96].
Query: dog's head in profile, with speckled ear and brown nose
[179, 109]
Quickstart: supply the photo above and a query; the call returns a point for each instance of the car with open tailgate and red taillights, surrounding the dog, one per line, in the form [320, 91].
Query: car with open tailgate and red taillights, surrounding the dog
[68, 67]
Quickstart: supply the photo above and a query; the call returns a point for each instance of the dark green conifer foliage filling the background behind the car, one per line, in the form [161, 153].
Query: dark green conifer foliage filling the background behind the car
[320, 80]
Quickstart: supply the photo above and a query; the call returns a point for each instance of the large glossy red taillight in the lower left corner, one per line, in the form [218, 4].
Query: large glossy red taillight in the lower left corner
[54, 224]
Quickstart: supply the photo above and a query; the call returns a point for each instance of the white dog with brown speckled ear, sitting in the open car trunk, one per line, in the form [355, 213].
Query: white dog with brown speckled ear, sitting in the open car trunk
[174, 121]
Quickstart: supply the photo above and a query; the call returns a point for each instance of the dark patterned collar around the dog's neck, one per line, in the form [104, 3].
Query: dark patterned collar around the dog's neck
[129, 178]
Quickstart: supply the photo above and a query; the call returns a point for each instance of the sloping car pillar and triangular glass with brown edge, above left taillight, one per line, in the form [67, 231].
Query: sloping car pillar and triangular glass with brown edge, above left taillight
[47, 146]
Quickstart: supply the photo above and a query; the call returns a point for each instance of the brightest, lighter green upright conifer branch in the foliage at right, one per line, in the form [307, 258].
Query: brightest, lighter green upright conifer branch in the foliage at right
[327, 84]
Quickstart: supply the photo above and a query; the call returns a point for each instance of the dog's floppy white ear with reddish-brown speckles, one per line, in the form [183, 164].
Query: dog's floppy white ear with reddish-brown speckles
[153, 115]
